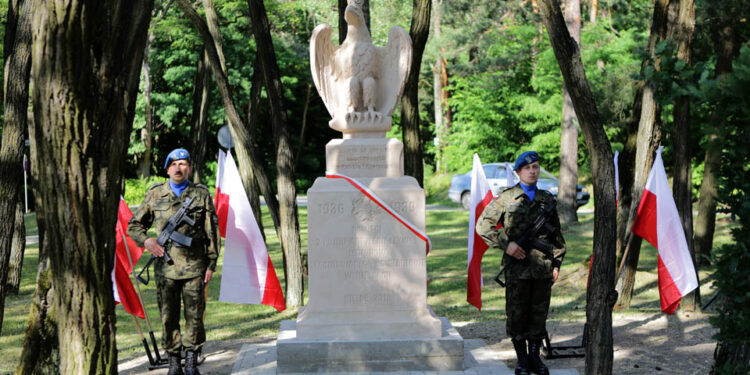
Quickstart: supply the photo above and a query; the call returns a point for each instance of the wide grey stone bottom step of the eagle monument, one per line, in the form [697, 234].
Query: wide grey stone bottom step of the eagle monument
[325, 356]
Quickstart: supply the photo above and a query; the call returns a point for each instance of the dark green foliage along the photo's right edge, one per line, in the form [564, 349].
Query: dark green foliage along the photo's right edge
[733, 266]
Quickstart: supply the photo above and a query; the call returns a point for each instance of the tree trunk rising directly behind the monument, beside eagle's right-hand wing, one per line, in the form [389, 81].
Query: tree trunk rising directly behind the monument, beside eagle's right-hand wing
[413, 146]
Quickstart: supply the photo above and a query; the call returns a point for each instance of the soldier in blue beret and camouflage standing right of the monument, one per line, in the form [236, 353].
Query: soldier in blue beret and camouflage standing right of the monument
[530, 273]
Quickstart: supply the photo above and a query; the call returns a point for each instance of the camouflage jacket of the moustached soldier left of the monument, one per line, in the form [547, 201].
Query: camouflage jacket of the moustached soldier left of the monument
[158, 206]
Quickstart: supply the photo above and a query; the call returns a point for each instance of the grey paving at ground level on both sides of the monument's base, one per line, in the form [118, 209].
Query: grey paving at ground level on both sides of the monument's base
[260, 359]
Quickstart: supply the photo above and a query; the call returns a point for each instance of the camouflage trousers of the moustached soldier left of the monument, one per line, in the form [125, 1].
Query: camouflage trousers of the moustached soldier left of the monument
[171, 295]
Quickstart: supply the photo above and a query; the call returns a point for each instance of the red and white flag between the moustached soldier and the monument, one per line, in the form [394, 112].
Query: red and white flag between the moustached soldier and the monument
[247, 275]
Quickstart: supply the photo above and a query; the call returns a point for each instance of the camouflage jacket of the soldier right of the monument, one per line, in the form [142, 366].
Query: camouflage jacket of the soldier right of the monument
[516, 213]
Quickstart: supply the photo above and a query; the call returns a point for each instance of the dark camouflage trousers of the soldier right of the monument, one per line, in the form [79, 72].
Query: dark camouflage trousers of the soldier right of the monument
[527, 305]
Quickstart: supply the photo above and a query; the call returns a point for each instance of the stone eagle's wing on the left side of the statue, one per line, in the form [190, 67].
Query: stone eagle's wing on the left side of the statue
[323, 65]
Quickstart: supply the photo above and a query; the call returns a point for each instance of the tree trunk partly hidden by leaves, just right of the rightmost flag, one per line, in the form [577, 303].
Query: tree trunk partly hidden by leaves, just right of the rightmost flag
[726, 46]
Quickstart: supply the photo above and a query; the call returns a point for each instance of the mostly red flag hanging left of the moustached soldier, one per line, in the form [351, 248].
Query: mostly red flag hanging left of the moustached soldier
[122, 286]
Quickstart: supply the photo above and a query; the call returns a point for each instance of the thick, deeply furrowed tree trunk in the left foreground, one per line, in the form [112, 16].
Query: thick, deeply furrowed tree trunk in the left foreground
[86, 75]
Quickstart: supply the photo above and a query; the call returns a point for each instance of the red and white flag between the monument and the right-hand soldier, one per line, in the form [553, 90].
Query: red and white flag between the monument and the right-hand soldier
[481, 196]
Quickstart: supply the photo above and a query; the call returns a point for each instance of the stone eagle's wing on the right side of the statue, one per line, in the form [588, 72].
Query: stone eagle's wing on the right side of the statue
[394, 64]
